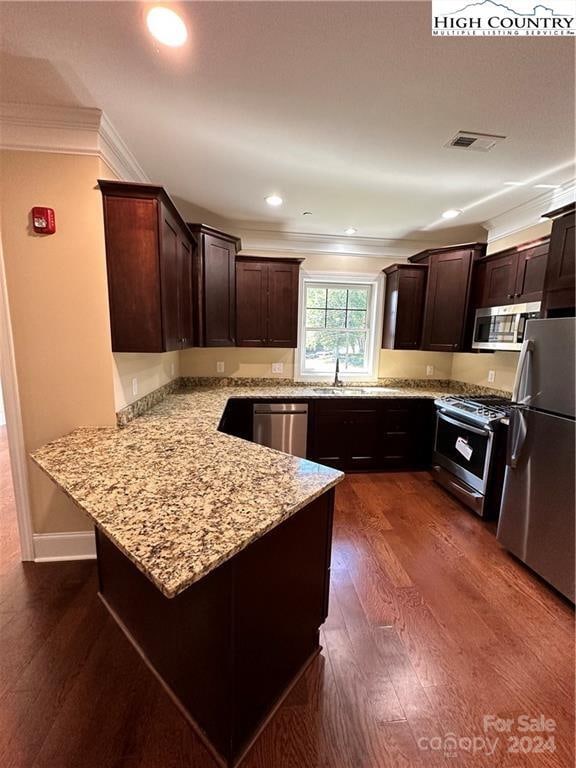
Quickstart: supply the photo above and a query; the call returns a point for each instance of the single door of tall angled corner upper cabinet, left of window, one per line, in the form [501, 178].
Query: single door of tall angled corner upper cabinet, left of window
[219, 292]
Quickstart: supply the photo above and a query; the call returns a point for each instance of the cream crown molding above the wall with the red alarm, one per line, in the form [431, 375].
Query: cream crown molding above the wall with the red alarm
[69, 131]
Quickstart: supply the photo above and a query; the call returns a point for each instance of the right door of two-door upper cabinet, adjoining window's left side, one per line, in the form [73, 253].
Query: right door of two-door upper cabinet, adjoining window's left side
[282, 305]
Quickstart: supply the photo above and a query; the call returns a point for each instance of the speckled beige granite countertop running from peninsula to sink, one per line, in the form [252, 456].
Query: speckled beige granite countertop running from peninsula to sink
[177, 496]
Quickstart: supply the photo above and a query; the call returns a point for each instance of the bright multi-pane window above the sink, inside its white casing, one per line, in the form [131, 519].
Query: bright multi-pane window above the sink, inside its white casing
[338, 321]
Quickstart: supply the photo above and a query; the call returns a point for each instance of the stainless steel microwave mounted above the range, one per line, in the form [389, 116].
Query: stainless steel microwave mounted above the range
[502, 328]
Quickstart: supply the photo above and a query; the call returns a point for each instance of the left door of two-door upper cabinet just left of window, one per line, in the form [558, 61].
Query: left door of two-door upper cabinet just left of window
[251, 303]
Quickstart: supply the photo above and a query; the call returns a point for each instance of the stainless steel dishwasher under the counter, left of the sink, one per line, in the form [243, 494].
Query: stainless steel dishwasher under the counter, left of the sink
[282, 426]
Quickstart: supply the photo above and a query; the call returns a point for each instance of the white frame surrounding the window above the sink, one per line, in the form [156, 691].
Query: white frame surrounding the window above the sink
[374, 323]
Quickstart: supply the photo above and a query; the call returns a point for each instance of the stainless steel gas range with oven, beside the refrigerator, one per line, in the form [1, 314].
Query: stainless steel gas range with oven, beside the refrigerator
[469, 449]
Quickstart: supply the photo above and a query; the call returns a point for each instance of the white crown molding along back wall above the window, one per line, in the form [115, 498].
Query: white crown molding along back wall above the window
[258, 242]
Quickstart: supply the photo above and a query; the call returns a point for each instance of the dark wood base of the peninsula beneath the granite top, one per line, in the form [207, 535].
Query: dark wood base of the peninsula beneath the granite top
[229, 647]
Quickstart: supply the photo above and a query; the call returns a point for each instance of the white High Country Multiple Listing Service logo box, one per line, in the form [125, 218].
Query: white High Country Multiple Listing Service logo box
[515, 18]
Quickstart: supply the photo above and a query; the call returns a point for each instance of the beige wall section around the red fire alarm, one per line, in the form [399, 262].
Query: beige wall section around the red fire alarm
[59, 310]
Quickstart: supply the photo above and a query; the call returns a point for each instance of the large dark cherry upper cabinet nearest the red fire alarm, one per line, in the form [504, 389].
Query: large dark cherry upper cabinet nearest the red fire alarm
[149, 265]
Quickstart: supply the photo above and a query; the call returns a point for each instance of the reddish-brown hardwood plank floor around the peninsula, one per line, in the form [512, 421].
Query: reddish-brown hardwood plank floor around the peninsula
[431, 627]
